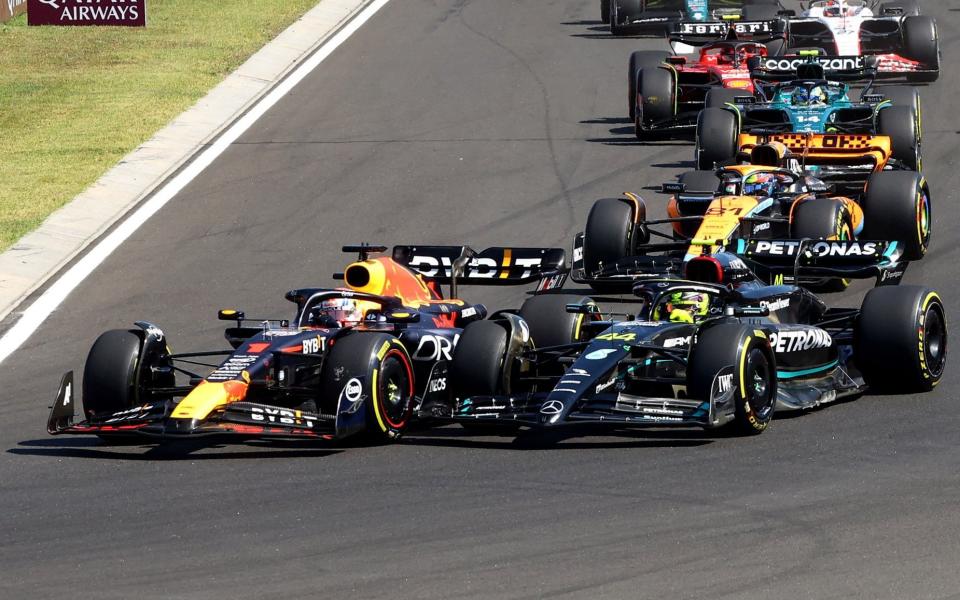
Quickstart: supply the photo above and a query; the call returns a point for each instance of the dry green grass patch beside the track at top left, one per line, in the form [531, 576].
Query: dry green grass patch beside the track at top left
[74, 100]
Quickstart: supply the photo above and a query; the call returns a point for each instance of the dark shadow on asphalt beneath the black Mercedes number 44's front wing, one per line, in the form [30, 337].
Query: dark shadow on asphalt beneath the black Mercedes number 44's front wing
[574, 439]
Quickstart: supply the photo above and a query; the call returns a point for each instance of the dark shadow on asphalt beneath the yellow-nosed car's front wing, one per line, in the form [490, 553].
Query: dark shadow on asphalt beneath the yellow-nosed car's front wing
[101, 450]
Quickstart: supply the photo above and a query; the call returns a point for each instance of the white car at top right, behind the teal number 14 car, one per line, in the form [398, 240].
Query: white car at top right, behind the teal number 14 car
[905, 42]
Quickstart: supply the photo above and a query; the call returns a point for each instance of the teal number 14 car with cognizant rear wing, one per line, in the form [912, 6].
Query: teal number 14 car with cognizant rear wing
[794, 96]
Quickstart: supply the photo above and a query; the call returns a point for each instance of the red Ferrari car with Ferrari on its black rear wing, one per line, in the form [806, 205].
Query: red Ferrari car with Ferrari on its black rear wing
[666, 91]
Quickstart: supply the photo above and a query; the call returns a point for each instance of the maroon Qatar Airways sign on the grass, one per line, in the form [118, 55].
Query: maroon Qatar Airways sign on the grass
[125, 13]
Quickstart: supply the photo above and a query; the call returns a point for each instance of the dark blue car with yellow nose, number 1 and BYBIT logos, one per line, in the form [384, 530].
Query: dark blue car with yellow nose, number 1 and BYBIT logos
[352, 360]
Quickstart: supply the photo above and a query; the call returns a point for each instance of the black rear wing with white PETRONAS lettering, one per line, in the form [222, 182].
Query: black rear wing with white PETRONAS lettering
[805, 259]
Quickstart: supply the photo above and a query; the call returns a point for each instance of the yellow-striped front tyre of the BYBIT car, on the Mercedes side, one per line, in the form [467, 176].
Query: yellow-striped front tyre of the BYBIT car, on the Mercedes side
[375, 366]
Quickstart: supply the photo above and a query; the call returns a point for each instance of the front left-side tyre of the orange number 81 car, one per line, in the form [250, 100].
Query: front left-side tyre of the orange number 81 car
[608, 235]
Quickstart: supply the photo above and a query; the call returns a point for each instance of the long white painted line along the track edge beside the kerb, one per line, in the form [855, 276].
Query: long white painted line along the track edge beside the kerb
[48, 302]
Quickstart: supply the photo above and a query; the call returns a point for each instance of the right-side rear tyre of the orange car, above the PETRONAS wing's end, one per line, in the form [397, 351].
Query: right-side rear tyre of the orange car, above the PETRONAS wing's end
[897, 207]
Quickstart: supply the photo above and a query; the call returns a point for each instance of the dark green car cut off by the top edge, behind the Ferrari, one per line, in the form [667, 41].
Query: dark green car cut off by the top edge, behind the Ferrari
[655, 17]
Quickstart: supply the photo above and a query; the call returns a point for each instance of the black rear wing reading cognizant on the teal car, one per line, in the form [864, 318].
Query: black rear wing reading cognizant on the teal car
[811, 65]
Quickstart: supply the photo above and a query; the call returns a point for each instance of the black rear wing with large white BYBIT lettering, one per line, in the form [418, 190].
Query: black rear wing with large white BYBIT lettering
[493, 266]
